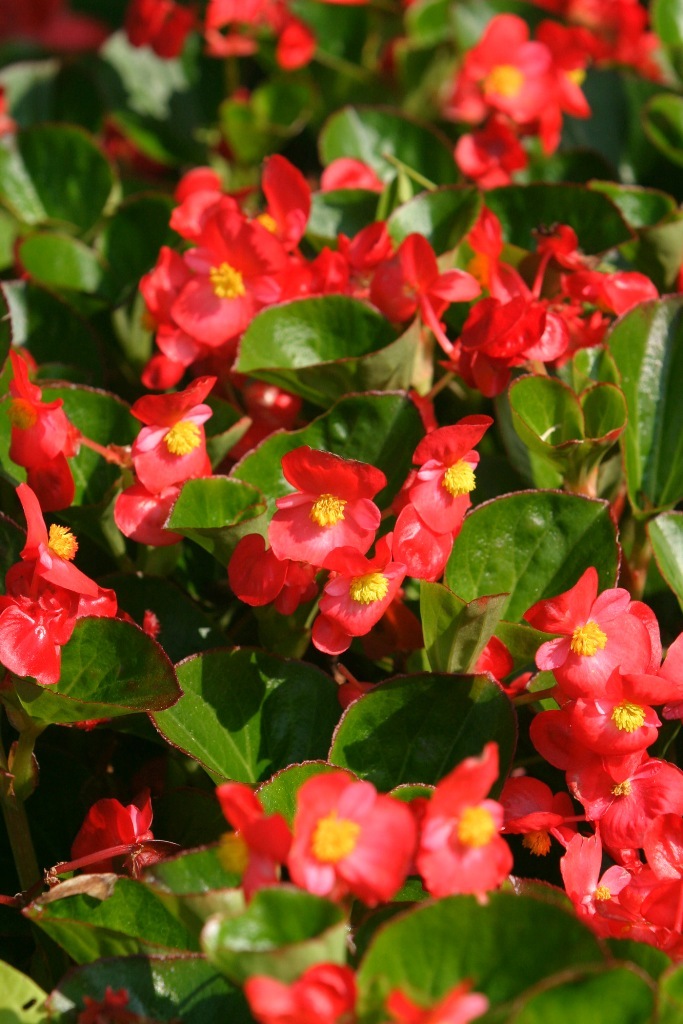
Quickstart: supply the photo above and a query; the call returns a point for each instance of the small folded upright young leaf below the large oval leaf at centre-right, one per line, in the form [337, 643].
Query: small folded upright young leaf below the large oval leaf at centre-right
[456, 633]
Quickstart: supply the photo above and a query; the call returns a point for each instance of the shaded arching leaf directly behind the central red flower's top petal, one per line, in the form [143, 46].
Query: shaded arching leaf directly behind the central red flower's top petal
[380, 430]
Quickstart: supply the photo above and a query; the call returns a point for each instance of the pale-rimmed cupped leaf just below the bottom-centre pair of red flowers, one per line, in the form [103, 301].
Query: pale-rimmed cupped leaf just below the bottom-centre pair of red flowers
[282, 932]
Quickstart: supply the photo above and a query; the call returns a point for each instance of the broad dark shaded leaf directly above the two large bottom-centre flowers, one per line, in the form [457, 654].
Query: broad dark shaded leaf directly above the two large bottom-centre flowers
[417, 729]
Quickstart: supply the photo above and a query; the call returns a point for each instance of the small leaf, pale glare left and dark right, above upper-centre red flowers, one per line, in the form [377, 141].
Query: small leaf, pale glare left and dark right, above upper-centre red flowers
[444, 217]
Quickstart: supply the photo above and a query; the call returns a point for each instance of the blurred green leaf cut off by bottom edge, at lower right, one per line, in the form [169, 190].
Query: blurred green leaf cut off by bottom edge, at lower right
[619, 996]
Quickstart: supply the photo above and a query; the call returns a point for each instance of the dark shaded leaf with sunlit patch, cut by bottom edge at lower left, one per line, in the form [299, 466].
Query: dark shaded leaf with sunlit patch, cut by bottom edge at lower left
[168, 990]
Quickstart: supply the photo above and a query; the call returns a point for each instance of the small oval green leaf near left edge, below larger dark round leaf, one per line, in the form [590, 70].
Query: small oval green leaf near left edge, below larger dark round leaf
[62, 262]
